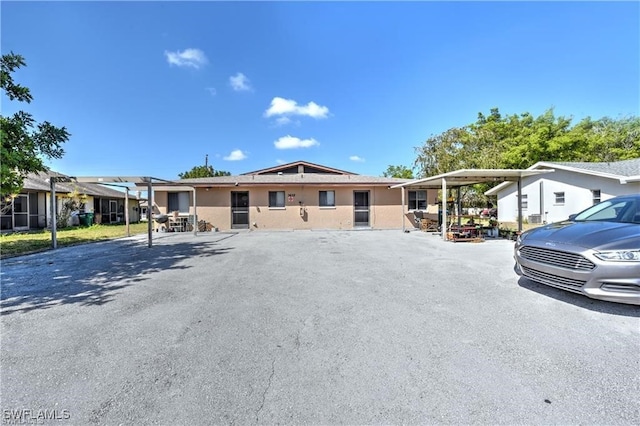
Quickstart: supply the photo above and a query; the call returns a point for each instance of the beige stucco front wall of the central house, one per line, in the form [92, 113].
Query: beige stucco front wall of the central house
[214, 206]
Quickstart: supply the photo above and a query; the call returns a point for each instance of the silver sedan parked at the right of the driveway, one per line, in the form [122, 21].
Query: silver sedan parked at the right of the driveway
[596, 253]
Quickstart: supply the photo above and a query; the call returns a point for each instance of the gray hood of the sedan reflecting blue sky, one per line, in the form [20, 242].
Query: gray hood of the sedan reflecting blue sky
[595, 235]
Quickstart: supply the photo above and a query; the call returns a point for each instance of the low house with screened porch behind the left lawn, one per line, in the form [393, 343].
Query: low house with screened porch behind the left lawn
[31, 208]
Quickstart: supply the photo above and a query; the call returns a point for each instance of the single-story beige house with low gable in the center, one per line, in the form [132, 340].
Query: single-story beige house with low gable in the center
[298, 195]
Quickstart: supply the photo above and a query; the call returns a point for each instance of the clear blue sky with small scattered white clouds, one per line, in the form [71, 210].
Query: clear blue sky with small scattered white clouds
[150, 88]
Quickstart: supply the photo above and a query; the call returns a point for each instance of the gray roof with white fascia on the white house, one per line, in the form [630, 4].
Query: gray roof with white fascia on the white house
[624, 171]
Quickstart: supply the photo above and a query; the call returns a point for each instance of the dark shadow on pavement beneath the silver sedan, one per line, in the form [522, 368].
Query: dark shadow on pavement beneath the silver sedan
[580, 300]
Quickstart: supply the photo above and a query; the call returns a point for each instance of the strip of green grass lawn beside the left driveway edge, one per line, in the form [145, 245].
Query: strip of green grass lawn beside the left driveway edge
[31, 241]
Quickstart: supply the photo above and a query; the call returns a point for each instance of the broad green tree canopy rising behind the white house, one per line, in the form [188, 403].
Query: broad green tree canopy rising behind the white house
[519, 141]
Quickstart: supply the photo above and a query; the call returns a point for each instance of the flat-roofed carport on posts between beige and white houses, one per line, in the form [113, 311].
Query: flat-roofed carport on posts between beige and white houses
[467, 177]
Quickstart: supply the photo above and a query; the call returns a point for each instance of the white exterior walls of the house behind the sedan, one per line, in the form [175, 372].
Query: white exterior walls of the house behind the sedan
[577, 189]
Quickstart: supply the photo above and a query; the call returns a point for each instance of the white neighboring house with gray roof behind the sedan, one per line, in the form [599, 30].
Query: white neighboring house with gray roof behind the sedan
[572, 187]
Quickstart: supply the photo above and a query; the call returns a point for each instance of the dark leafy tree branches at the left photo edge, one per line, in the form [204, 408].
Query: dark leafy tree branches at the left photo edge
[24, 141]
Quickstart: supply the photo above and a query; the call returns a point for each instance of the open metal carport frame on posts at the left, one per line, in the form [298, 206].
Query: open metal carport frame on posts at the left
[142, 182]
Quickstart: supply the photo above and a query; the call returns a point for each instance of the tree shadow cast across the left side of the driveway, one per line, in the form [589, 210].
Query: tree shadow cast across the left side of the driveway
[91, 274]
